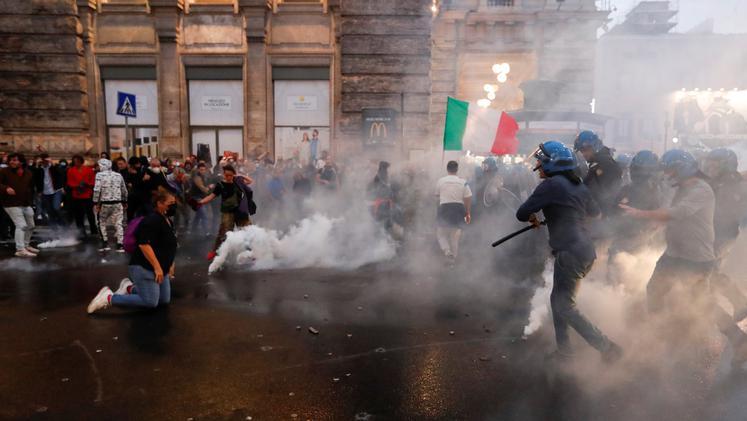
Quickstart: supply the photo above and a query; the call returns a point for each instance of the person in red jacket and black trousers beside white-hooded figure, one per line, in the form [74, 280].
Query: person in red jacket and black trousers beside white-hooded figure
[80, 180]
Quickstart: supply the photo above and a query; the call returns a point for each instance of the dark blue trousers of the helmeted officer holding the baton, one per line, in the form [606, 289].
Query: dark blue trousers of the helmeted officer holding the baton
[569, 270]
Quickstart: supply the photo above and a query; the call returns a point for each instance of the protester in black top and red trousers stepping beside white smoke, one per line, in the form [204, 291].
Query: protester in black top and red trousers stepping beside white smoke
[236, 203]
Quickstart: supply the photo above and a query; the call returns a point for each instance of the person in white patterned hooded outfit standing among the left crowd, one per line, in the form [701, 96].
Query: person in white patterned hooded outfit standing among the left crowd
[110, 199]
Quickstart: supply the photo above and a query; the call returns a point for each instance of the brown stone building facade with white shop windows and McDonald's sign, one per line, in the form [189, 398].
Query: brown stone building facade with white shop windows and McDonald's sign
[254, 76]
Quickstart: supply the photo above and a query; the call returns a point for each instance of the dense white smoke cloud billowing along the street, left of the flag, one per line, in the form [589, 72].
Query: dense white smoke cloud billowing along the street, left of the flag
[318, 241]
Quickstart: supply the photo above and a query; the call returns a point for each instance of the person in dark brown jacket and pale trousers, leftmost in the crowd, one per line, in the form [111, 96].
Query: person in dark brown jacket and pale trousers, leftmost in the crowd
[16, 197]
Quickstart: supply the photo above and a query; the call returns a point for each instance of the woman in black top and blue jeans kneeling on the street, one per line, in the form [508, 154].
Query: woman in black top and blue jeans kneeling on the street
[156, 249]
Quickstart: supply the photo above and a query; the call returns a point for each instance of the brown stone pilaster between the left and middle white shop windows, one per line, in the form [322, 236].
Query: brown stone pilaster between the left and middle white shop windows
[172, 141]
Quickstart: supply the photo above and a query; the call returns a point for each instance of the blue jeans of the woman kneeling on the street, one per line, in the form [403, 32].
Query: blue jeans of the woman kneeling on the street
[145, 291]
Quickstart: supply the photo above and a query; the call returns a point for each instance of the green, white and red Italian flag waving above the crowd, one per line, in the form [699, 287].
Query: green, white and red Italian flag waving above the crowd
[479, 129]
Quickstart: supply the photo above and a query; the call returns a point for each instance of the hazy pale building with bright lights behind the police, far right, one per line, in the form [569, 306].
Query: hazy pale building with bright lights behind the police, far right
[667, 89]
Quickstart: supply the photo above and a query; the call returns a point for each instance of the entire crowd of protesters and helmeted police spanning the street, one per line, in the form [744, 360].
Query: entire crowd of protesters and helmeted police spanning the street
[590, 202]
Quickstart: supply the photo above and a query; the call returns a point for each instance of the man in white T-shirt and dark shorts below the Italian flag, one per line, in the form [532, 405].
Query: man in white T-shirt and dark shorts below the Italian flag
[455, 199]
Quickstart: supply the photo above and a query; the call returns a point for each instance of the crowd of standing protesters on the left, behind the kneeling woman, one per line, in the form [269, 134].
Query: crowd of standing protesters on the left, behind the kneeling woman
[97, 196]
